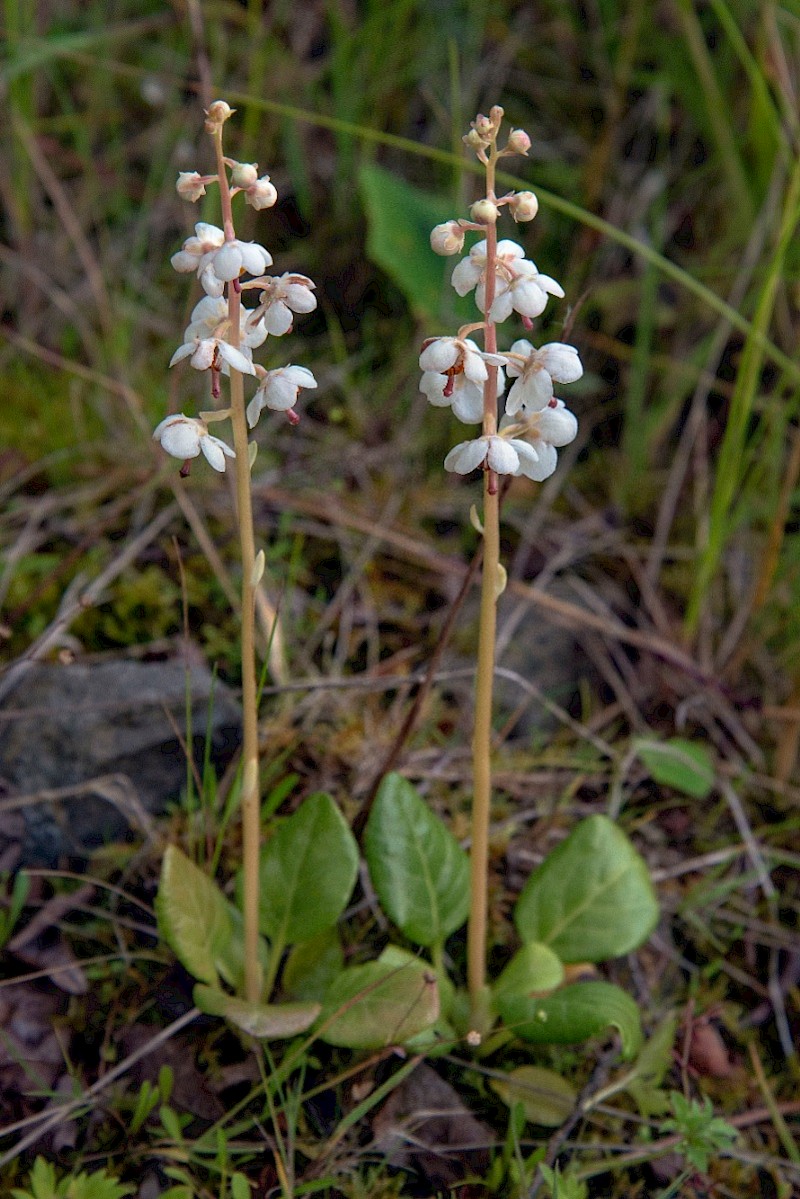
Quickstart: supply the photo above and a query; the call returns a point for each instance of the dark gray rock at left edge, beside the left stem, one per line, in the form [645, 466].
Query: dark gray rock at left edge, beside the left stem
[94, 748]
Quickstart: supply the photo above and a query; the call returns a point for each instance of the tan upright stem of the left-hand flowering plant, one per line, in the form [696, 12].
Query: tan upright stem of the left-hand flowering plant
[250, 797]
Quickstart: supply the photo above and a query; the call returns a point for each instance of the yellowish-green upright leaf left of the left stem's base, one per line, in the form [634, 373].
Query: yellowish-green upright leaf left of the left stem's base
[194, 917]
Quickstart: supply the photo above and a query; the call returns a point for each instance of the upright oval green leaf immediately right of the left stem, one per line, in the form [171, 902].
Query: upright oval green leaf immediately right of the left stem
[308, 872]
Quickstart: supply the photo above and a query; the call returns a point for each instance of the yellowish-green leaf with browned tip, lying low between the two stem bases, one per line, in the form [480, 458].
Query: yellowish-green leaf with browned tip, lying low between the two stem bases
[380, 1004]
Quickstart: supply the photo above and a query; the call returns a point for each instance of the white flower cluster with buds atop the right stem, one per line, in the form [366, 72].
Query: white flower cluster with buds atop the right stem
[459, 375]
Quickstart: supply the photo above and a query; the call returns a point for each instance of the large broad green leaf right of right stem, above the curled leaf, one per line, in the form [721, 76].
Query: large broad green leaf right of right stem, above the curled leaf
[592, 899]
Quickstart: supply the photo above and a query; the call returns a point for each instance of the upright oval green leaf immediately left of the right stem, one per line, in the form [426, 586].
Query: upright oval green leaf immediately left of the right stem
[418, 869]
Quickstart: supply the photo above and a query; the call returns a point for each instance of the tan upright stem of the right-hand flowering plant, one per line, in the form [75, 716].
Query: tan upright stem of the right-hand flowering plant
[477, 933]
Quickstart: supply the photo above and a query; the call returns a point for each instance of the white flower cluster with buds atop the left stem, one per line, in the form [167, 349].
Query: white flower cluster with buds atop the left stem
[224, 333]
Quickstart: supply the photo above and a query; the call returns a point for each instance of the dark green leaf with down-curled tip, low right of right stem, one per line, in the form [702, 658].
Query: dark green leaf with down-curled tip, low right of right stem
[575, 1014]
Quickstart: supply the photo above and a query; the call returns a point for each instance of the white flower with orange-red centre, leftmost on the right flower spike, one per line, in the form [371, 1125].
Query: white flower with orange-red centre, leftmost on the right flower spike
[454, 373]
